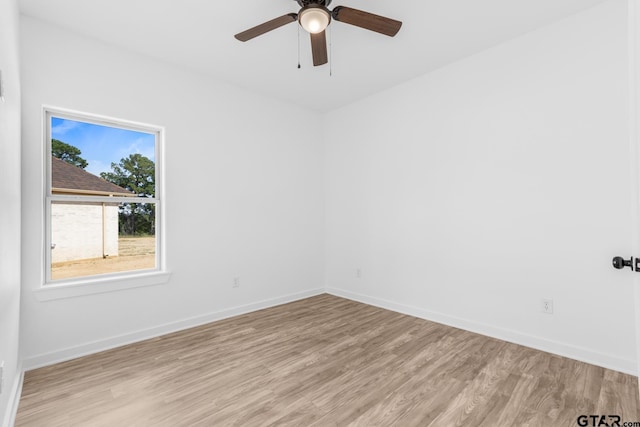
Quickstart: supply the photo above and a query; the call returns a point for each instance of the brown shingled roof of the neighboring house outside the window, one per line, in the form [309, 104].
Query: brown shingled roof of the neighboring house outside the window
[69, 179]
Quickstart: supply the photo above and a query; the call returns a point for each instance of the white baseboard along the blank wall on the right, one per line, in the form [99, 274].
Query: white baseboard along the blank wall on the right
[561, 349]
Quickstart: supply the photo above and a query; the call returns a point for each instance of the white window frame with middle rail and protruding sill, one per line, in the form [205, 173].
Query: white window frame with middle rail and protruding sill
[86, 285]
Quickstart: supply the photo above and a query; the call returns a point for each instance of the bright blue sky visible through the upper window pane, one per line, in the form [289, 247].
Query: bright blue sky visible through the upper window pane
[102, 145]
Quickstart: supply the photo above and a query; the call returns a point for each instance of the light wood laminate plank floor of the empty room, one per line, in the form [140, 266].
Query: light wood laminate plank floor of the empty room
[323, 361]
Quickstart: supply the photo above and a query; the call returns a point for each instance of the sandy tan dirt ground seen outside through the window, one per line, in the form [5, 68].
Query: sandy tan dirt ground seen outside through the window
[135, 253]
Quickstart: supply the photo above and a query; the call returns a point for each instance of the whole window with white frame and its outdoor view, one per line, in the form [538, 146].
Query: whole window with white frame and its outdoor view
[103, 199]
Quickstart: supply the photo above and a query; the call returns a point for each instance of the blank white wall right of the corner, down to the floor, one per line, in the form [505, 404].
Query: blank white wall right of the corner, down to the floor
[468, 194]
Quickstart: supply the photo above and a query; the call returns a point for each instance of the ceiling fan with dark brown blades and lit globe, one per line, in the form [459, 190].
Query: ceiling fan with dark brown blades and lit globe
[314, 17]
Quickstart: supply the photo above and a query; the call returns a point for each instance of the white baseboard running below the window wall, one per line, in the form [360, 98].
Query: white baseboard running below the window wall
[62, 355]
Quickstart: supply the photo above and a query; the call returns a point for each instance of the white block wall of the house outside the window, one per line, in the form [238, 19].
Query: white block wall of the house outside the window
[78, 231]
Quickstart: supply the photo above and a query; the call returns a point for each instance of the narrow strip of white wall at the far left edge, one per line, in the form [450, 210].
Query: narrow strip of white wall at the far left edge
[10, 209]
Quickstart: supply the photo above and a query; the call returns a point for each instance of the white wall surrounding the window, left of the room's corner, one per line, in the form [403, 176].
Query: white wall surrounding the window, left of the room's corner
[244, 194]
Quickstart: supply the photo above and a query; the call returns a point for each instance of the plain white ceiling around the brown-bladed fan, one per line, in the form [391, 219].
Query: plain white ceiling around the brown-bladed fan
[198, 34]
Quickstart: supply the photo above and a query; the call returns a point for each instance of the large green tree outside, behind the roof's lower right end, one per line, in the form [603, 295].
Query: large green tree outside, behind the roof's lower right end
[137, 174]
